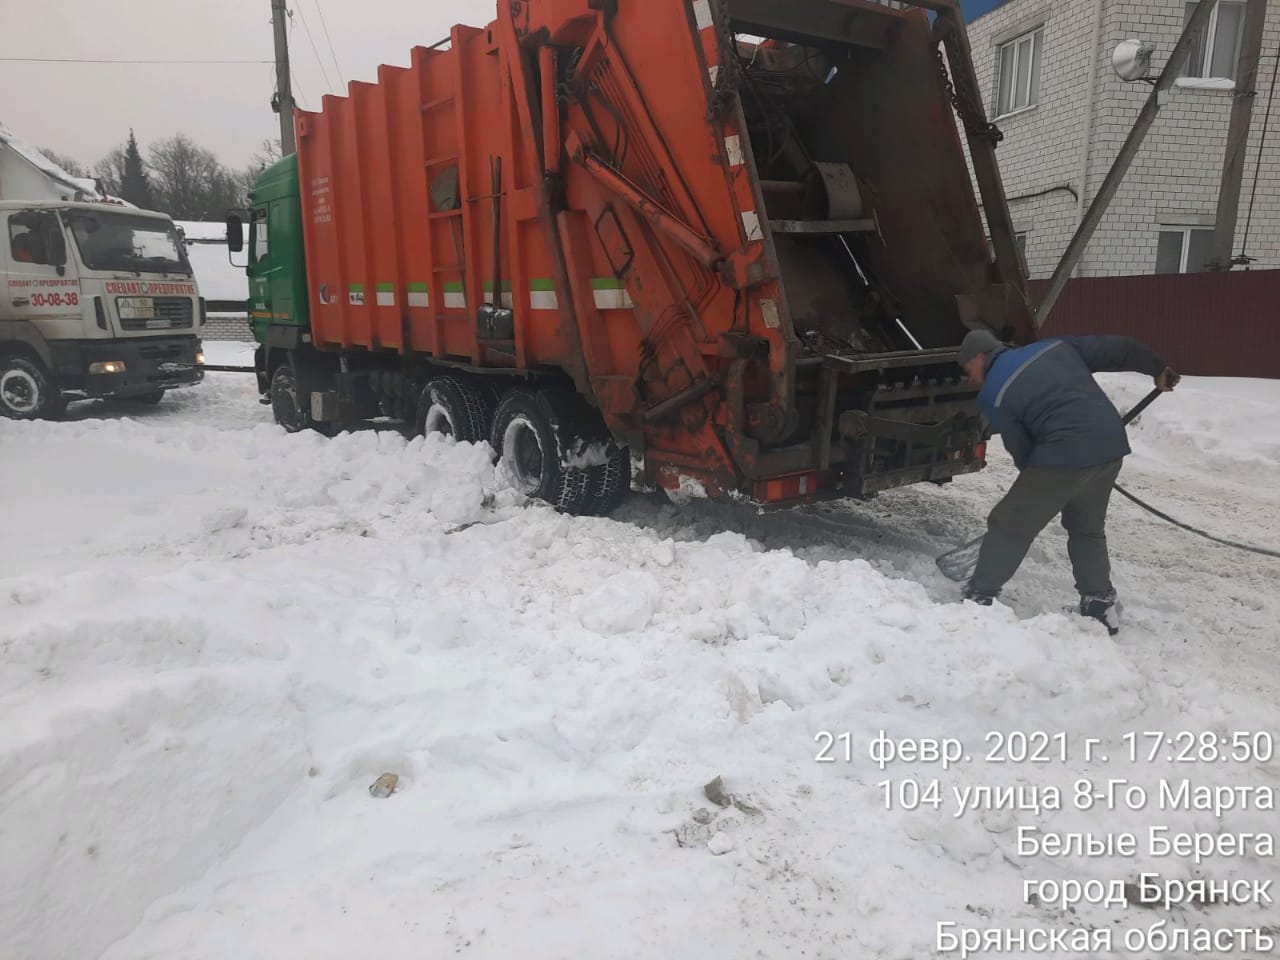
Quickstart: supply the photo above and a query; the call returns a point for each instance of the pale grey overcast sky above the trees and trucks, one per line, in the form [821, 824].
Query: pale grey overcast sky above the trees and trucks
[88, 109]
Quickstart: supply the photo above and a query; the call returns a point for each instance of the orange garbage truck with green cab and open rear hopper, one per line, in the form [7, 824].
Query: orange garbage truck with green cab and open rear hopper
[735, 239]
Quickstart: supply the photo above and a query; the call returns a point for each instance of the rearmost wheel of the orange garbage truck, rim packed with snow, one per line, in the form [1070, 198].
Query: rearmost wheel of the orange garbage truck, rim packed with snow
[528, 436]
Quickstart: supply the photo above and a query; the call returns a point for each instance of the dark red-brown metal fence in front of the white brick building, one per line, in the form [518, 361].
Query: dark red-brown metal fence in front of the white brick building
[1222, 324]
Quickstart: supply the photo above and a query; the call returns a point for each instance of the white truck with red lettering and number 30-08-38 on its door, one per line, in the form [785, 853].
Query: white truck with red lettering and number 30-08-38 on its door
[99, 300]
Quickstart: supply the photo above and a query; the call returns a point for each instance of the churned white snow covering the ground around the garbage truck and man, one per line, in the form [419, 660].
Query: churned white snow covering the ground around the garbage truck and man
[214, 638]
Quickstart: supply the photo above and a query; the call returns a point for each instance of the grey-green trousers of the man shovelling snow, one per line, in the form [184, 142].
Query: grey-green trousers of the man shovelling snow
[1037, 497]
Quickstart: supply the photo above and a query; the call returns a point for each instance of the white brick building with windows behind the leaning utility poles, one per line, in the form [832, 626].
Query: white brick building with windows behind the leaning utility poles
[1066, 115]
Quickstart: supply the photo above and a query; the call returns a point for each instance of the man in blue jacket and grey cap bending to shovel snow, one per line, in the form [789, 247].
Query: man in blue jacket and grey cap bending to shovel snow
[1068, 444]
